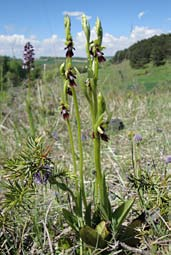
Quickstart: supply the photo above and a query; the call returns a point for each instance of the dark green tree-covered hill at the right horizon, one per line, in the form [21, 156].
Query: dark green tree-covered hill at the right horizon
[156, 49]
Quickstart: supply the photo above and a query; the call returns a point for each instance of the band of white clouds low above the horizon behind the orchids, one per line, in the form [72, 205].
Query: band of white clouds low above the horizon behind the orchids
[12, 45]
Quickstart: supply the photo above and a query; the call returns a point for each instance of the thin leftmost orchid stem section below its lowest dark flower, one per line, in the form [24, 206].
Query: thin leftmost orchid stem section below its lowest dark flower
[72, 151]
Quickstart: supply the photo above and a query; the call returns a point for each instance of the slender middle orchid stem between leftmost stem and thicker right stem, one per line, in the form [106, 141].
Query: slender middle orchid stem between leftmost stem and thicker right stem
[79, 145]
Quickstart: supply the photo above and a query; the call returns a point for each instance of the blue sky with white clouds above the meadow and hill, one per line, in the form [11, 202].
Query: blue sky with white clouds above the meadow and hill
[41, 22]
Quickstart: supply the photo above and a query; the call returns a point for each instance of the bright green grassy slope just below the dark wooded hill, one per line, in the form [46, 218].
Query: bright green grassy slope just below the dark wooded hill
[122, 76]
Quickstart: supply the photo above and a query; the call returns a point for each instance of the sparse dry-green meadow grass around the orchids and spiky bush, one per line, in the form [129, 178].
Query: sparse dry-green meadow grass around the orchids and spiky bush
[140, 99]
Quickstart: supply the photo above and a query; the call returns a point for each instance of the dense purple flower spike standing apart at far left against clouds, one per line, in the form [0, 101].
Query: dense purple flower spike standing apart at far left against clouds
[28, 56]
